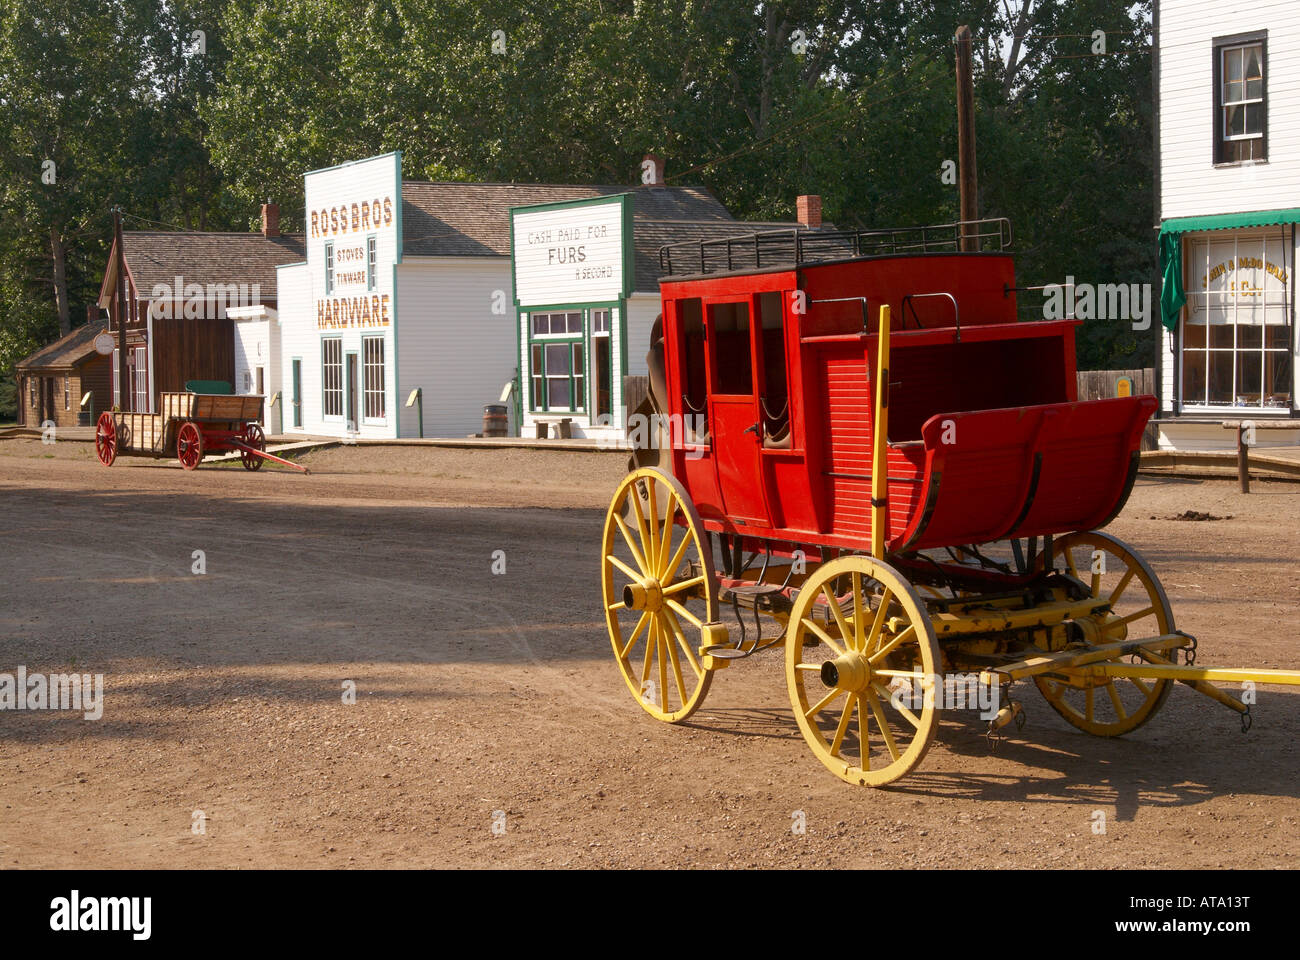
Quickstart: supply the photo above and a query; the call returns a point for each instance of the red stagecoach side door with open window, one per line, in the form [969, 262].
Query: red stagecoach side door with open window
[735, 420]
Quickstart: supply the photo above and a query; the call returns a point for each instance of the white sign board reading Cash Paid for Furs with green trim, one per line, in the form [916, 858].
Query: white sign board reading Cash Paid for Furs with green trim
[577, 252]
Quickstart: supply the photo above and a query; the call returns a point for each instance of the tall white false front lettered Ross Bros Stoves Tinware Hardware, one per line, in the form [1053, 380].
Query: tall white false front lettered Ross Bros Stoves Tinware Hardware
[353, 223]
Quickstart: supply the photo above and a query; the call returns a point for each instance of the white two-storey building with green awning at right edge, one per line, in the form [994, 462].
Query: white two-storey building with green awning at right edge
[1229, 202]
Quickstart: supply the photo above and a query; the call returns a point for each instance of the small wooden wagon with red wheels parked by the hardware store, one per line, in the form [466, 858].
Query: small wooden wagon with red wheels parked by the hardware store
[190, 427]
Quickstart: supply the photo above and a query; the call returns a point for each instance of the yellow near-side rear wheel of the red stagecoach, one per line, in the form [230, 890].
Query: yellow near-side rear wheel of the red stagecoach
[657, 574]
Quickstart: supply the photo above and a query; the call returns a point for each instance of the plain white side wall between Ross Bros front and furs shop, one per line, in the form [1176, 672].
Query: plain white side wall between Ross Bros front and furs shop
[452, 343]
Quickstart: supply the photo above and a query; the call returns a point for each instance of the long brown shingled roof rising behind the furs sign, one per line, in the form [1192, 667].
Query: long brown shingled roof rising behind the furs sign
[474, 219]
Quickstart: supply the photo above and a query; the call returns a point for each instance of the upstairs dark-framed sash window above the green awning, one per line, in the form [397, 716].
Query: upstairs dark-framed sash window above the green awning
[1241, 119]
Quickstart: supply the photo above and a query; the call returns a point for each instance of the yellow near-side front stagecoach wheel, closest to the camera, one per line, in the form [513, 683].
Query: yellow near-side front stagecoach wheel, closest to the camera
[868, 654]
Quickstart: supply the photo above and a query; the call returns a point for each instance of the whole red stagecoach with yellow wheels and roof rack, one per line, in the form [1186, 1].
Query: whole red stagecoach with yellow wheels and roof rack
[857, 440]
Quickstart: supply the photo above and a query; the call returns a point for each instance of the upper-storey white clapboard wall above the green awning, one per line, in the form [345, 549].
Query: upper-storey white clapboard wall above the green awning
[1191, 184]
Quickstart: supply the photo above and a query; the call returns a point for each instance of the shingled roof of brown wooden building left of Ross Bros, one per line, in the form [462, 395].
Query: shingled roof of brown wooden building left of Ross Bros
[161, 257]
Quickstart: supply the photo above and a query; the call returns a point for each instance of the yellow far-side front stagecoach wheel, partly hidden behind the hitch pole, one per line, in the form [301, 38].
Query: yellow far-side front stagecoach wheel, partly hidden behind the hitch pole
[1119, 576]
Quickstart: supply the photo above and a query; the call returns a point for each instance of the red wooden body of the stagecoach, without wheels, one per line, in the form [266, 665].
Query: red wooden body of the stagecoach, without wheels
[987, 439]
